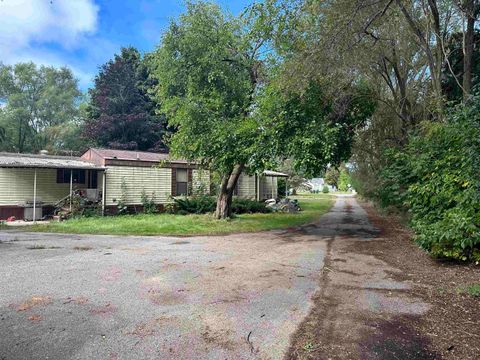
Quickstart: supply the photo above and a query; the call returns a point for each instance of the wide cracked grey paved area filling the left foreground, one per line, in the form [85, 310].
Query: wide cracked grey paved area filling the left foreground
[116, 297]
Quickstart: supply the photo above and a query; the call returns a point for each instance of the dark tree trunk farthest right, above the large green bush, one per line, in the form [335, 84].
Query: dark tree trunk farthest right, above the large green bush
[468, 48]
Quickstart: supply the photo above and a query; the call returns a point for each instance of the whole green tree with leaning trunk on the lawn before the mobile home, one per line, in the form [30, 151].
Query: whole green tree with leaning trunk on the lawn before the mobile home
[213, 73]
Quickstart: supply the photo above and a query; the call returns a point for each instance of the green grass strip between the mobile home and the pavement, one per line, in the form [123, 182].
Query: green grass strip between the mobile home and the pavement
[167, 224]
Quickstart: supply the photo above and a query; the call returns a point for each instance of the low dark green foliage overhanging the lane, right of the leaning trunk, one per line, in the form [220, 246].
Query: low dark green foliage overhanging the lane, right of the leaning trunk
[313, 128]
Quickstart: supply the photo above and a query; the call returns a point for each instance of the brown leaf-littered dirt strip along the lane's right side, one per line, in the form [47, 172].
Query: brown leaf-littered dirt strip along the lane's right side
[453, 322]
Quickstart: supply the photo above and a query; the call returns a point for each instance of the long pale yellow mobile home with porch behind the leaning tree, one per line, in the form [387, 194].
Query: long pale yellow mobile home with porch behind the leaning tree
[31, 185]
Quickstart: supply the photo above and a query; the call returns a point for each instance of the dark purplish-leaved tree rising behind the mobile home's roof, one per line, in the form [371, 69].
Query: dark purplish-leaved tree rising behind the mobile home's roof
[121, 114]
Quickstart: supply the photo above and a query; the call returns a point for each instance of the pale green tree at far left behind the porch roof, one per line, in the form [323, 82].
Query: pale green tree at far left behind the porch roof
[36, 99]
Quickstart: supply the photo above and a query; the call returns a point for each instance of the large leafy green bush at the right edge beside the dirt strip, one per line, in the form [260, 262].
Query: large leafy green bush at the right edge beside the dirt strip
[436, 178]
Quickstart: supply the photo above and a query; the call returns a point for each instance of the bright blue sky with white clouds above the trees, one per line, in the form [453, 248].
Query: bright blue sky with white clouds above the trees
[84, 34]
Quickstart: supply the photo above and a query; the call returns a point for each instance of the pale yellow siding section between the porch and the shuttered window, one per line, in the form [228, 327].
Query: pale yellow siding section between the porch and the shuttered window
[151, 179]
